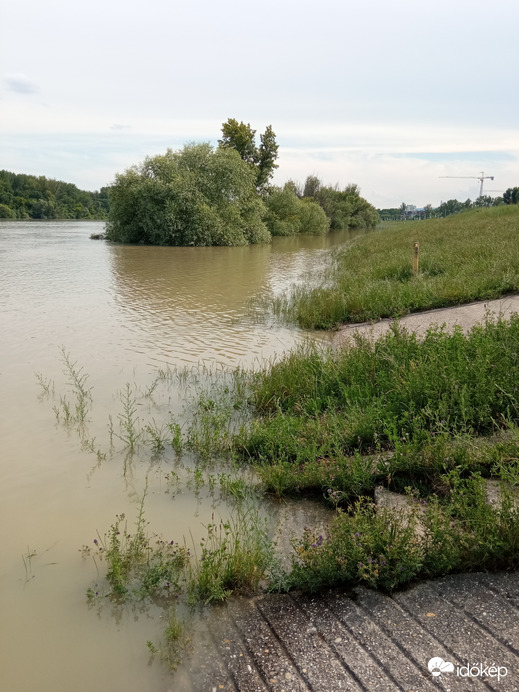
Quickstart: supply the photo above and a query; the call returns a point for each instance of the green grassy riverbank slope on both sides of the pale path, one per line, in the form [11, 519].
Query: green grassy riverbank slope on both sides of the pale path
[434, 418]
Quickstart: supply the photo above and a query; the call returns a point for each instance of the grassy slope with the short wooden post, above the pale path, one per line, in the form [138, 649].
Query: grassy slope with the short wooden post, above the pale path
[466, 257]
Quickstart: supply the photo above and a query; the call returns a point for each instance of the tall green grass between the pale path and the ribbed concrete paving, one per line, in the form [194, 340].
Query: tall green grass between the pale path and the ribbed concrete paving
[433, 418]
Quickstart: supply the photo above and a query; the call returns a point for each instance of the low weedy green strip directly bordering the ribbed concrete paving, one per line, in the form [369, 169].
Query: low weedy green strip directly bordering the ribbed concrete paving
[386, 549]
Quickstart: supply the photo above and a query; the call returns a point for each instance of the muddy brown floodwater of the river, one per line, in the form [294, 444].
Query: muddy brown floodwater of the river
[120, 313]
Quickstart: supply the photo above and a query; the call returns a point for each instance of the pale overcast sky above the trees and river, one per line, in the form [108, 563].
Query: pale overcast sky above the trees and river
[387, 94]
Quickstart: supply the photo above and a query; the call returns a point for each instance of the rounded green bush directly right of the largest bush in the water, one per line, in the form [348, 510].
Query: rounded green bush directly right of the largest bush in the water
[288, 215]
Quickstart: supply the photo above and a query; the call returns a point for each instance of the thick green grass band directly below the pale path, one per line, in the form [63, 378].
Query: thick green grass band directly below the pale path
[326, 405]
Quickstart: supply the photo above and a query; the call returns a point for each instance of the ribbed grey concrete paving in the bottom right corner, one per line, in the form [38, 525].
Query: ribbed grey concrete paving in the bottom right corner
[363, 640]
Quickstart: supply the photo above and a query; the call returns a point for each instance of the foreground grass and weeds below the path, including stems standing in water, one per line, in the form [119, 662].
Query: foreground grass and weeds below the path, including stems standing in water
[434, 419]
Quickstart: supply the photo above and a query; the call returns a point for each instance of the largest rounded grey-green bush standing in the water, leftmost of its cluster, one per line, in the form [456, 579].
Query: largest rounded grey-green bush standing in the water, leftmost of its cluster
[196, 196]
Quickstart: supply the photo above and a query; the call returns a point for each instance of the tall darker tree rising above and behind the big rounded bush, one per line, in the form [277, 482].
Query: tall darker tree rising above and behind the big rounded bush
[262, 159]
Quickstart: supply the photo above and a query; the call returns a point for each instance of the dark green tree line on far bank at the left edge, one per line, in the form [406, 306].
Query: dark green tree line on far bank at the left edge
[36, 197]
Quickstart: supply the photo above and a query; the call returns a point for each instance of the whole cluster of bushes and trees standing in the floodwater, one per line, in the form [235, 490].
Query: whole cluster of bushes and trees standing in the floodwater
[202, 195]
